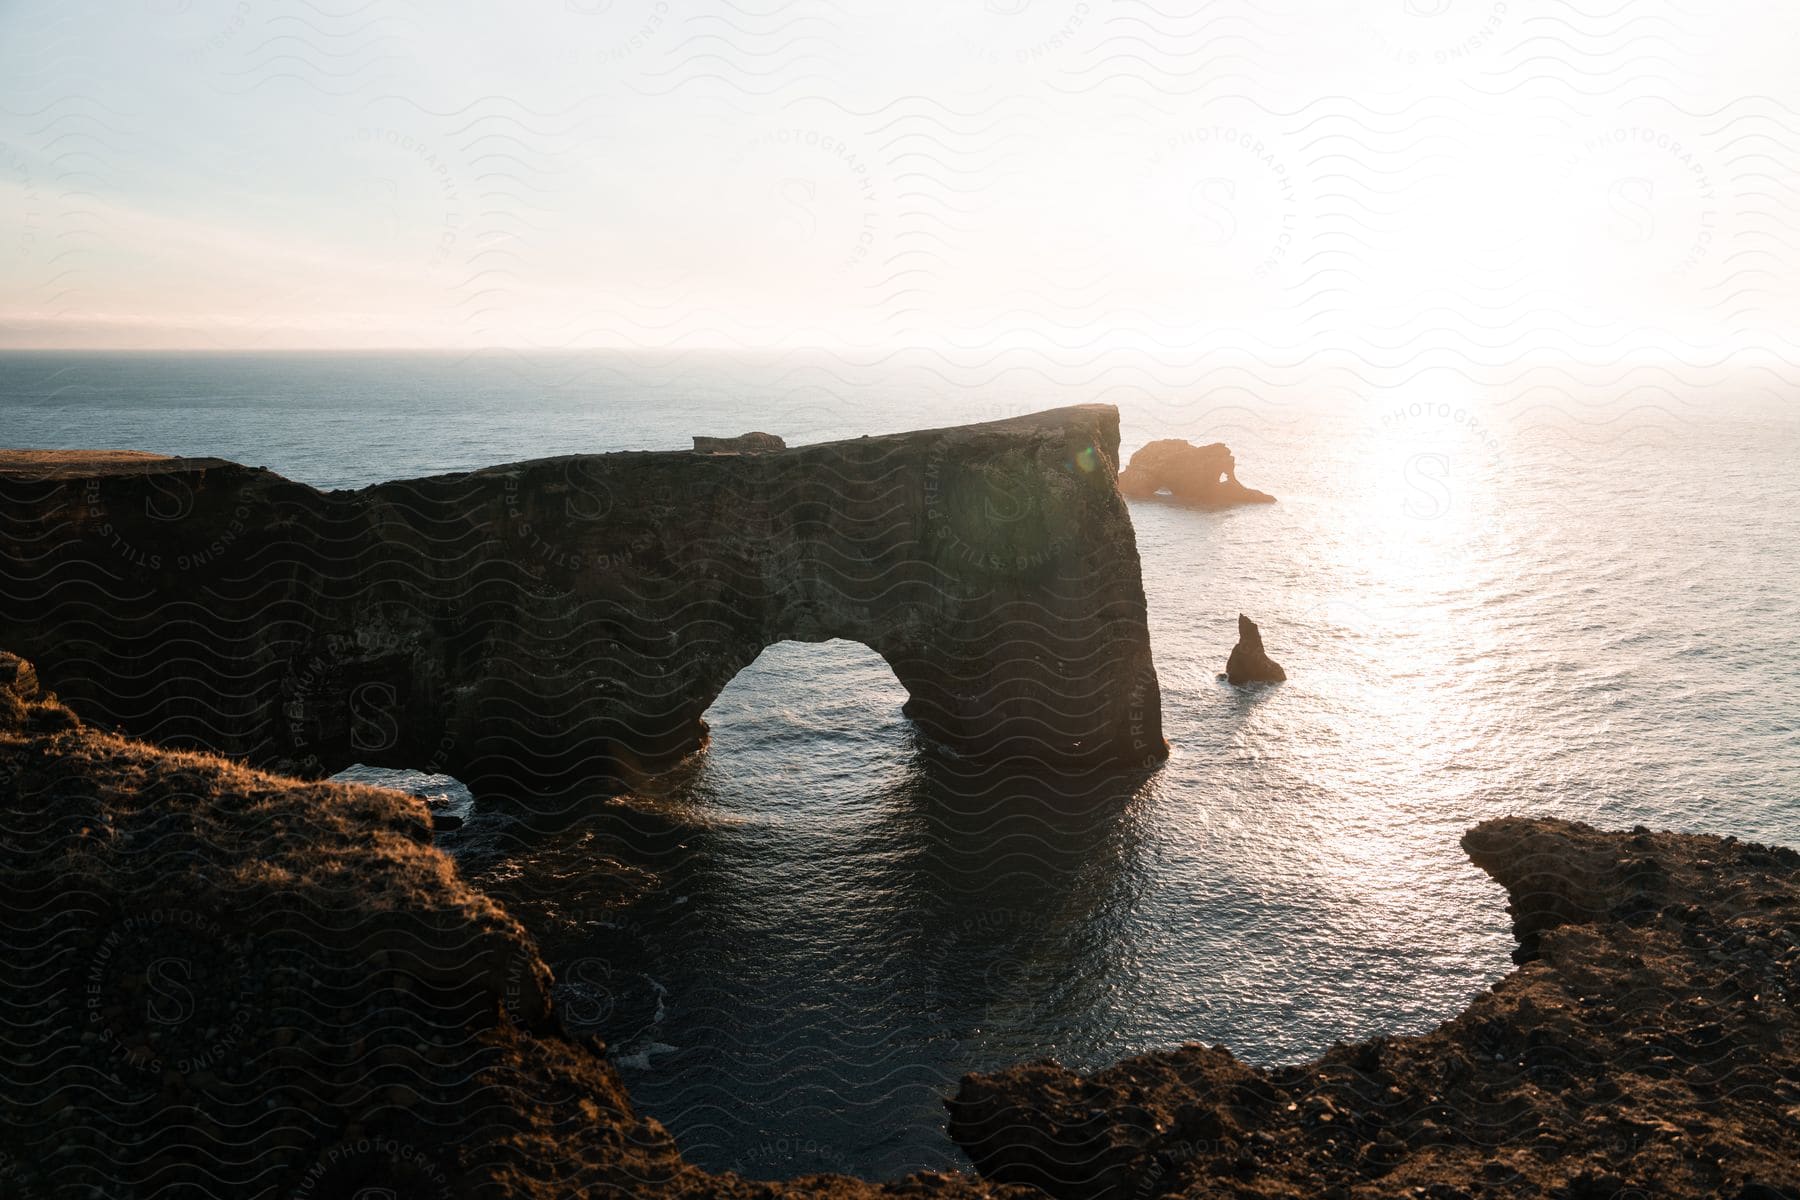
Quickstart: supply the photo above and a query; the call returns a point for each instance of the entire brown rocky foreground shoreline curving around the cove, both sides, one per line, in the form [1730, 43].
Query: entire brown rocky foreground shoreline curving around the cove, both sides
[226, 983]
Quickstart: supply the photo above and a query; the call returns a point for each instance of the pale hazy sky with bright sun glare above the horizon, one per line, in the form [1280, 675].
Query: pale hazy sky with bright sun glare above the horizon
[1471, 179]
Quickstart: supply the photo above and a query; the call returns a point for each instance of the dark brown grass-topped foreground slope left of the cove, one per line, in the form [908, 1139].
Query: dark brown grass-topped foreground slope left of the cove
[222, 983]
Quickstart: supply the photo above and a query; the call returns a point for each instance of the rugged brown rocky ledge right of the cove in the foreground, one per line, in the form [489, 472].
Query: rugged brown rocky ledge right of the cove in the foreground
[1648, 1046]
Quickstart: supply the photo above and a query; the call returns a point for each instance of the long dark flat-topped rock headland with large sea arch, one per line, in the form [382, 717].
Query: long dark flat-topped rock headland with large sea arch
[575, 618]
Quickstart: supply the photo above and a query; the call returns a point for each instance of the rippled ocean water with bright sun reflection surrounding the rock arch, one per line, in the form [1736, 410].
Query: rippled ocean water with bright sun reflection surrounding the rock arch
[1507, 598]
